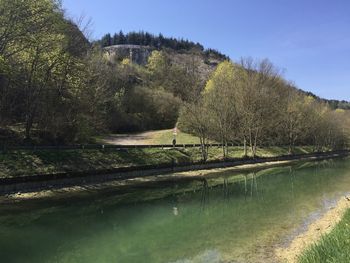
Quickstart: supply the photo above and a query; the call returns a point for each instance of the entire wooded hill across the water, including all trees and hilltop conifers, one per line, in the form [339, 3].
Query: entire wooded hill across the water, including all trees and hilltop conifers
[57, 88]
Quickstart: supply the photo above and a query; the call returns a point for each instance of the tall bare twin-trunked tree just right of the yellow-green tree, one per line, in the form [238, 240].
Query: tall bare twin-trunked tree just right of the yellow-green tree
[256, 97]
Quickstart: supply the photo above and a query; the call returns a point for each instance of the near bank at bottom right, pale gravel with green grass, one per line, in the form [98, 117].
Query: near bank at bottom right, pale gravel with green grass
[306, 247]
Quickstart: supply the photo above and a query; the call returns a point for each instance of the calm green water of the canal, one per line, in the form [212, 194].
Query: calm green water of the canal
[228, 218]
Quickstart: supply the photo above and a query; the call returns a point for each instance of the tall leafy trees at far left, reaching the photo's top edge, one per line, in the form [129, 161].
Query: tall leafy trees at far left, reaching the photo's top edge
[44, 68]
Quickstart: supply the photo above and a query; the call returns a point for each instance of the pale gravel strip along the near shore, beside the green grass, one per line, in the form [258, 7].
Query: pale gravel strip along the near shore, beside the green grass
[314, 232]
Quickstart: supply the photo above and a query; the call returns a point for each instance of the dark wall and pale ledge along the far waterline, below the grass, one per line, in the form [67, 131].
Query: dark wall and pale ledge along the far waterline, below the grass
[66, 187]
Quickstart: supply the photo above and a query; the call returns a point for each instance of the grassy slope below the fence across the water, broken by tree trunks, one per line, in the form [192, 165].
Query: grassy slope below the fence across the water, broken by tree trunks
[27, 162]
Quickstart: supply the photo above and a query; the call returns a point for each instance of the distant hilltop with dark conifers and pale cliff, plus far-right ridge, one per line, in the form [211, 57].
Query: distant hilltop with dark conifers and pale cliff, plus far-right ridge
[137, 46]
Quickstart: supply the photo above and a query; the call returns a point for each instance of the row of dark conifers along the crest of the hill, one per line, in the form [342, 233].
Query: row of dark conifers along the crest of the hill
[157, 42]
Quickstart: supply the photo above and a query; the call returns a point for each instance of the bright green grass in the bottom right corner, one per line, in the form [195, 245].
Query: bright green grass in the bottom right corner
[334, 247]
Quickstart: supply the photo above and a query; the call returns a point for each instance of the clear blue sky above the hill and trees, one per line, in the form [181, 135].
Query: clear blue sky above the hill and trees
[309, 40]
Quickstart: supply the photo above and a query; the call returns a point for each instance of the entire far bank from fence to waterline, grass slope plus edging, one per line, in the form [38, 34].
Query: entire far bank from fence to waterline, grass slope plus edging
[107, 165]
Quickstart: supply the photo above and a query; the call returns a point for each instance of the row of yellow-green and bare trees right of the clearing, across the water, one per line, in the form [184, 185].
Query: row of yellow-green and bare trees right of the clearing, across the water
[251, 104]
